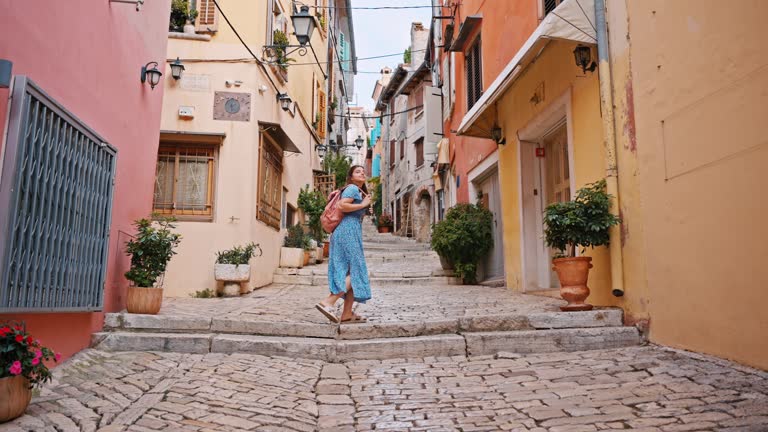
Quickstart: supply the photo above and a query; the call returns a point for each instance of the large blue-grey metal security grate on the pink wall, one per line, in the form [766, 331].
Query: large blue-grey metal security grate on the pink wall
[55, 207]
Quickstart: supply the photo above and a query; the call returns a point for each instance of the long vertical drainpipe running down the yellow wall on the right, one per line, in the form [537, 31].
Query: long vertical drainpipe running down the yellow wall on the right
[609, 141]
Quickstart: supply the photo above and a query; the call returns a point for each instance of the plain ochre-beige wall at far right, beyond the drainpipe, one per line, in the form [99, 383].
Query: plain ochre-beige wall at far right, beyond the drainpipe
[700, 82]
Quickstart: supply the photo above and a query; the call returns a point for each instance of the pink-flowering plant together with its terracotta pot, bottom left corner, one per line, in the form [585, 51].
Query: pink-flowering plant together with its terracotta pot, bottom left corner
[22, 367]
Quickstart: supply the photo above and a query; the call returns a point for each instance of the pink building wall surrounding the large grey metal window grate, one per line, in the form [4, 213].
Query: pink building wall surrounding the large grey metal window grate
[87, 55]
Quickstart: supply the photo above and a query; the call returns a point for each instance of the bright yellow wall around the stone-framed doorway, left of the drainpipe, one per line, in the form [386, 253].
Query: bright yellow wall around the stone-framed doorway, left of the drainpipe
[556, 69]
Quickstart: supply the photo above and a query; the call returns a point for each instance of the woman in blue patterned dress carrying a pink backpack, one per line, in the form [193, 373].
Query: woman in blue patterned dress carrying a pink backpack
[347, 271]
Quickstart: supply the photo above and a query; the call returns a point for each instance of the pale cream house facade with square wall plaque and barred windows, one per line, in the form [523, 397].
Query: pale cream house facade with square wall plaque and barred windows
[237, 169]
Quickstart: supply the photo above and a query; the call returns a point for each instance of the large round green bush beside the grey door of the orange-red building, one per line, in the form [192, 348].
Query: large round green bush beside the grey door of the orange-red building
[463, 238]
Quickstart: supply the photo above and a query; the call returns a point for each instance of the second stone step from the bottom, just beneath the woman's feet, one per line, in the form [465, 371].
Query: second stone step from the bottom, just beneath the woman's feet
[601, 318]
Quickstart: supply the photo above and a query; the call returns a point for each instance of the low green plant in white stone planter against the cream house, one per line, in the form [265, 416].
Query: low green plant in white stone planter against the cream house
[233, 270]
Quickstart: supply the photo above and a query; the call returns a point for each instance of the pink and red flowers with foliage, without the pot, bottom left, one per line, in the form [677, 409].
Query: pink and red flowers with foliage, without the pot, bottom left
[21, 354]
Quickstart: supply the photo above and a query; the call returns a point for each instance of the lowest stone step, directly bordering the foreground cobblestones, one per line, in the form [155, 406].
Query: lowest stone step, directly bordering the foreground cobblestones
[444, 345]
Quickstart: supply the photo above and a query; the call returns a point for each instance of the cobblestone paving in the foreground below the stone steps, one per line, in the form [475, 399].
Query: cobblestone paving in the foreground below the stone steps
[641, 388]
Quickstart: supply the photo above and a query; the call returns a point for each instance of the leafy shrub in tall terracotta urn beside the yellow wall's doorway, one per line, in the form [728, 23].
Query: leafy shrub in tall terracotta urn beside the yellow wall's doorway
[580, 223]
